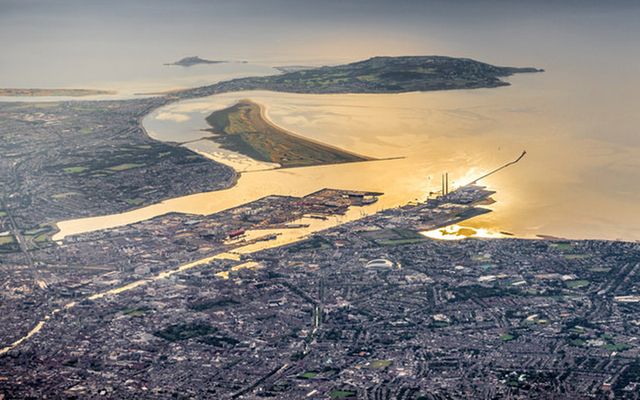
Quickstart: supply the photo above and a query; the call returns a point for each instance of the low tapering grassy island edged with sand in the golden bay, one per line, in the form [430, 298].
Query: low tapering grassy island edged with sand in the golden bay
[242, 128]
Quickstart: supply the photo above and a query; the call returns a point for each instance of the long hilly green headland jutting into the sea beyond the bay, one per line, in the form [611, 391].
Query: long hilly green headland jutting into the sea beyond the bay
[375, 75]
